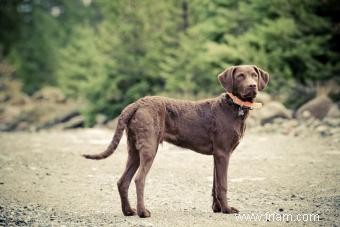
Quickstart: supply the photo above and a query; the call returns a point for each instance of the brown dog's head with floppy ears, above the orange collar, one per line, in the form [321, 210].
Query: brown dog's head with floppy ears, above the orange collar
[244, 81]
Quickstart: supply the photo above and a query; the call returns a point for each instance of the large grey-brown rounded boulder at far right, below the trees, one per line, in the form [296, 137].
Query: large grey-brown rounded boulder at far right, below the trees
[317, 107]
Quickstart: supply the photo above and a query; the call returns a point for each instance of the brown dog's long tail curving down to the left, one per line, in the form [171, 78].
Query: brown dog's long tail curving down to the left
[124, 118]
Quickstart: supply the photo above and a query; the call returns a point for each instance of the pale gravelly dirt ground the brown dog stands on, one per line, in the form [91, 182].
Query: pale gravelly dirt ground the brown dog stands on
[44, 181]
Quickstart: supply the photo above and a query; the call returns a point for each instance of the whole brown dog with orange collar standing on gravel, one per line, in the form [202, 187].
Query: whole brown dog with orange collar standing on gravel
[212, 127]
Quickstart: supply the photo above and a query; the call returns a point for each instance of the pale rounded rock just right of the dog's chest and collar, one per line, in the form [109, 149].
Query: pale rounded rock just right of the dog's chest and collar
[271, 111]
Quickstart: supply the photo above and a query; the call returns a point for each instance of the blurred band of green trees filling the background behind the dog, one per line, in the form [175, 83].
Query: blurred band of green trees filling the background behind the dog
[110, 53]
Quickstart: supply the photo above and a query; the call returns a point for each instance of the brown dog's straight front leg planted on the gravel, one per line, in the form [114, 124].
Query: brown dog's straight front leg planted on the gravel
[221, 163]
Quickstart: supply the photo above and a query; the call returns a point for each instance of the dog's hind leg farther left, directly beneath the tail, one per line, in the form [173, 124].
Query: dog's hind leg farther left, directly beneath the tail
[125, 180]
